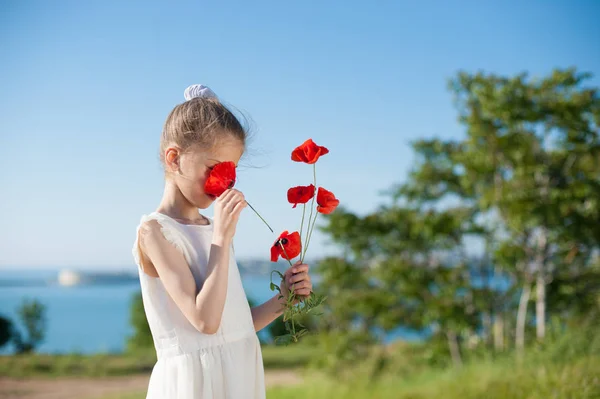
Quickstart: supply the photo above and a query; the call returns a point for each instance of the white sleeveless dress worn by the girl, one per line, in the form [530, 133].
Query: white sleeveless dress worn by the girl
[193, 365]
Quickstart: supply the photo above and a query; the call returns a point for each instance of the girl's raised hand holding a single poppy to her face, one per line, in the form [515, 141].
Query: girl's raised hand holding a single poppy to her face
[227, 212]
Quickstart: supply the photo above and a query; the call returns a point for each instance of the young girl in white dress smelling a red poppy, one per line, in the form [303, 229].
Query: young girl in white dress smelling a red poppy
[203, 329]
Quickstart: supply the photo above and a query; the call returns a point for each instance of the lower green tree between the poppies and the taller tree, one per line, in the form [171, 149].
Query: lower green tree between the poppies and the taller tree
[403, 266]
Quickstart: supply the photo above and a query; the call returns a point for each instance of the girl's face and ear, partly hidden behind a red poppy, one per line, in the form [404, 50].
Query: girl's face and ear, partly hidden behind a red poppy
[191, 169]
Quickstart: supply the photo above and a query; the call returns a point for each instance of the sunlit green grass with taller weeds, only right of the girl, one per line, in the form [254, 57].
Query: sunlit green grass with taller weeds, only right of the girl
[566, 366]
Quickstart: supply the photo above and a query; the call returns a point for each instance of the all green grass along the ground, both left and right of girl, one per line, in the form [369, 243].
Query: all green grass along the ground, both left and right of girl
[566, 368]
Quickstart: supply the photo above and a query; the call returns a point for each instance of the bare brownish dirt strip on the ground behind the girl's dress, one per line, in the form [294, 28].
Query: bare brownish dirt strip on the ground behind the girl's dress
[90, 388]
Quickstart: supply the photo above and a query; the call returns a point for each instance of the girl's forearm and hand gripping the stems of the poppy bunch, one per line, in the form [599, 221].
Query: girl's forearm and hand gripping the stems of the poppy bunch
[296, 276]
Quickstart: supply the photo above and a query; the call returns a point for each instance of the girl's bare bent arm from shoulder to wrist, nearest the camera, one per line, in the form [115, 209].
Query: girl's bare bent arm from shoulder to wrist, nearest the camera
[203, 309]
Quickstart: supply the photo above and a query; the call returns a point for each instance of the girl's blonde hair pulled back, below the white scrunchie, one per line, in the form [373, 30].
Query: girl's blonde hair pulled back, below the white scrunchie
[199, 123]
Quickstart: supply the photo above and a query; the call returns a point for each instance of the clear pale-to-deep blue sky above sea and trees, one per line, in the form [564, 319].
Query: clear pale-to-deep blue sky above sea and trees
[86, 86]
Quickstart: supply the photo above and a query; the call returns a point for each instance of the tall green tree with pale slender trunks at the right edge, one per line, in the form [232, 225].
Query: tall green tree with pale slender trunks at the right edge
[529, 167]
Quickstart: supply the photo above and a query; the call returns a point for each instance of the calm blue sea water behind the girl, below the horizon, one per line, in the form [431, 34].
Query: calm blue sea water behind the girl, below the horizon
[93, 317]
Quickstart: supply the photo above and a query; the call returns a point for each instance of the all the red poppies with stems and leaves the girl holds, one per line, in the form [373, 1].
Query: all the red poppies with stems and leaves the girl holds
[288, 245]
